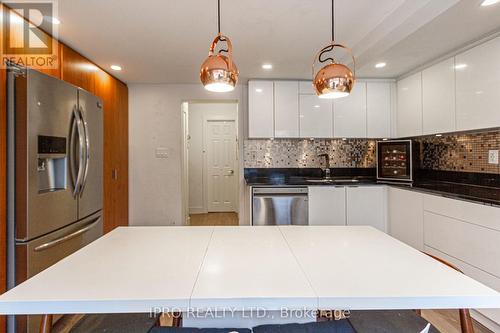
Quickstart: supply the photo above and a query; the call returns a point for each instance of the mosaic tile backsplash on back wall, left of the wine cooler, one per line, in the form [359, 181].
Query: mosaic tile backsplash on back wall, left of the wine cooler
[296, 153]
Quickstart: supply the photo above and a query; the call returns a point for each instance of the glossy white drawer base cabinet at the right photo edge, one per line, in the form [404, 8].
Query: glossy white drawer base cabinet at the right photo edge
[466, 234]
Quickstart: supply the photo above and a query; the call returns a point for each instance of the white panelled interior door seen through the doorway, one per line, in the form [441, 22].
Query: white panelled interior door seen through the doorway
[221, 164]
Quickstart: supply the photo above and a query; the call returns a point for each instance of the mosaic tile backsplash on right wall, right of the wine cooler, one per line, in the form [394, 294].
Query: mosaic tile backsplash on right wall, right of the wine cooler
[459, 152]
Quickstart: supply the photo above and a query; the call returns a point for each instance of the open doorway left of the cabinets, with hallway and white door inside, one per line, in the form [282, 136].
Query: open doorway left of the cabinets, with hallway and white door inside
[211, 162]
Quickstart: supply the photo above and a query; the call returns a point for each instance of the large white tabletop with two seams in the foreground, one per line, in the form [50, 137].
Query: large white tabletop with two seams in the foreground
[134, 269]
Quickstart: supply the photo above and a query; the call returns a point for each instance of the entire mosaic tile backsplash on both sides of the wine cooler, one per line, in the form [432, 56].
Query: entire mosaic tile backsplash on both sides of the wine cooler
[465, 152]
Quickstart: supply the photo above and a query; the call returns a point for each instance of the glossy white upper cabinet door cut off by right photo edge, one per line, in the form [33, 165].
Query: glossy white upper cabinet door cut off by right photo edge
[478, 86]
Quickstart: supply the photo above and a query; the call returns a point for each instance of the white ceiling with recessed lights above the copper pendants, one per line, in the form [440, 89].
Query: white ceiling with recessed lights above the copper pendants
[165, 41]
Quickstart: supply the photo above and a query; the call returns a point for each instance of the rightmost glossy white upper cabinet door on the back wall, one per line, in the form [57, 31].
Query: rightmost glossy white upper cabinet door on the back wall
[378, 109]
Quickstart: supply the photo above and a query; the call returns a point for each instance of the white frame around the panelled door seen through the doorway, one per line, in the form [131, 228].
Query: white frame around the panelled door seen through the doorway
[206, 120]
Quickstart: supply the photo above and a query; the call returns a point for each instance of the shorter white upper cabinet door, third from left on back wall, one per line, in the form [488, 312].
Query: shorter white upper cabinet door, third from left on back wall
[315, 117]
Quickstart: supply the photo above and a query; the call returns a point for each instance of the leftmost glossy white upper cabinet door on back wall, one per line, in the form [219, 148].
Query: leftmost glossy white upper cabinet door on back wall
[260, 109]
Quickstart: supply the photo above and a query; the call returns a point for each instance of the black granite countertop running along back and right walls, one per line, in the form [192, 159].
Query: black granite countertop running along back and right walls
[461, 189]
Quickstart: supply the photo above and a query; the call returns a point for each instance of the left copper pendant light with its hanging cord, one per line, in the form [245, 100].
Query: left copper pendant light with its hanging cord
[219, 73]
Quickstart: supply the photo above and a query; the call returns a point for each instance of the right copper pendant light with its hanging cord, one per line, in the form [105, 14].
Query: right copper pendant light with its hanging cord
[335, 79]
